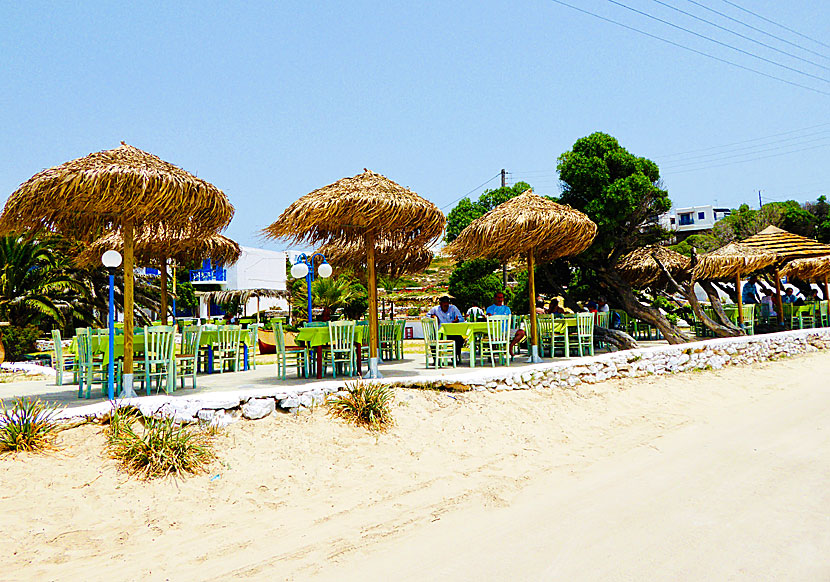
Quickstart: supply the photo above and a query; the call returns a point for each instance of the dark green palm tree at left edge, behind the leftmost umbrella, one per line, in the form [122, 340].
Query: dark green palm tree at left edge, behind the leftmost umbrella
[36, 284]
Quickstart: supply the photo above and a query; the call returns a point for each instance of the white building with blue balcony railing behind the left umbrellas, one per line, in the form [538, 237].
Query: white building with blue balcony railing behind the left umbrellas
[255, 269]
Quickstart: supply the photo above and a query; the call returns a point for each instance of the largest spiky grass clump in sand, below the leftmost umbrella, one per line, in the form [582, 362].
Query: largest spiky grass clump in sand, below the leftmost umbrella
[151, 447]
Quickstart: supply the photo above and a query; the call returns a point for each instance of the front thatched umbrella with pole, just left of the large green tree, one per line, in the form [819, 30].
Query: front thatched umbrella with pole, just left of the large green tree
[528, 225]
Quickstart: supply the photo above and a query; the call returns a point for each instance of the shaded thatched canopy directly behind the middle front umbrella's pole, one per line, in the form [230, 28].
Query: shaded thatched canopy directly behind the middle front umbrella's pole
[391, 258]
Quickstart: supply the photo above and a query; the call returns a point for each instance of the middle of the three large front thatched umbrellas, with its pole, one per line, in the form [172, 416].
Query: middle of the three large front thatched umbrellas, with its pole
[370, 207]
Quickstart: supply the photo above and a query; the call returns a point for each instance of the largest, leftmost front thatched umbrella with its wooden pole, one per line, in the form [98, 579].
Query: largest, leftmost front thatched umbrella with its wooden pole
[120, 189]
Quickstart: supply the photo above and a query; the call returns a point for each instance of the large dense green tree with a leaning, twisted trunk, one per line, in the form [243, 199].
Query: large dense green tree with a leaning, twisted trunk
[622, 193]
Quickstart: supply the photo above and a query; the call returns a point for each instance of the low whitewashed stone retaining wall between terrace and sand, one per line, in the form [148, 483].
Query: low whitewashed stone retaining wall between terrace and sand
[223, 407]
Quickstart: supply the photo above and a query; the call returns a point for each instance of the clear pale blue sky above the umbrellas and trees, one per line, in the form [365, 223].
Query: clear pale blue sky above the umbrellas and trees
[271, 100]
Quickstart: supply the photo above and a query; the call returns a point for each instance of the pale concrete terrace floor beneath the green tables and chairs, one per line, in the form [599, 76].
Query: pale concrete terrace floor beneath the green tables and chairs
[410, 367]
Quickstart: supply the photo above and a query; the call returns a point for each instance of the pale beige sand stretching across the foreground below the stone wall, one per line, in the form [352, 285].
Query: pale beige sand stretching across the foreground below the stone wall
[712, 475]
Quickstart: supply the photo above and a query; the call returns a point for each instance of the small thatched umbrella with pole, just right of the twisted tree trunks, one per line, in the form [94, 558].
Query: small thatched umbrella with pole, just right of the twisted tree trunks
[733, 261]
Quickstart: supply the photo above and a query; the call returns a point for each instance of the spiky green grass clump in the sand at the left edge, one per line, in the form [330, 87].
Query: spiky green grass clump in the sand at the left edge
[29, 425]
